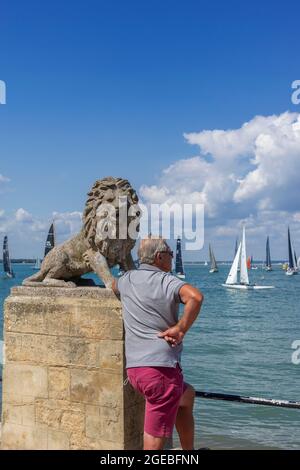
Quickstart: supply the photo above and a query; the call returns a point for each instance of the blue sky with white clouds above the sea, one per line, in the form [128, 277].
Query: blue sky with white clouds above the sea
[191, 101]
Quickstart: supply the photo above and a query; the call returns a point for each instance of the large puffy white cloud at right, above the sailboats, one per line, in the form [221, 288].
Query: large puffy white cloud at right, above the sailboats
[258, 163]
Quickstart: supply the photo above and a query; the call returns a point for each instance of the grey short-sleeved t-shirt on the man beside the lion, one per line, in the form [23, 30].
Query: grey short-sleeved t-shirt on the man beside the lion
[150, 301]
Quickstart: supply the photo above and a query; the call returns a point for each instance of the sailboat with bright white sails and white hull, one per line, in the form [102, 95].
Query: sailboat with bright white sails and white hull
[241, 260]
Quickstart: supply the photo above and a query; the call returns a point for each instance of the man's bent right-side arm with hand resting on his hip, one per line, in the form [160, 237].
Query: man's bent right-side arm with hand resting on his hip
[192, 298]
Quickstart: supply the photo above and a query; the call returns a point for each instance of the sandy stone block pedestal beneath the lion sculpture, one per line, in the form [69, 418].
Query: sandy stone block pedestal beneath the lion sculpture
[64, 372]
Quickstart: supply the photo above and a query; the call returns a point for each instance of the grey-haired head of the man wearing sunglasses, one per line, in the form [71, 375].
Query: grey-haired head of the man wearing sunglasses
[156, 251]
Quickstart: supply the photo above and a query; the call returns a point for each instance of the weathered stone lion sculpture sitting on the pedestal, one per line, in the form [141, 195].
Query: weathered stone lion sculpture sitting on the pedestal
[99, 245]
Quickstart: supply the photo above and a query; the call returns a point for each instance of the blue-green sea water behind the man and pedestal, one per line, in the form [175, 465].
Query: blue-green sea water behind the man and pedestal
[241, 343]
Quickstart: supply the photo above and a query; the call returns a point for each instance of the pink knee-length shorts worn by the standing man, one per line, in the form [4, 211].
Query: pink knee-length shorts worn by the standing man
[162, 388]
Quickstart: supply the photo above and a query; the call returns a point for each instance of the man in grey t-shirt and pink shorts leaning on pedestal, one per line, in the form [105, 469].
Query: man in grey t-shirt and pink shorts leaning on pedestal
[150, 299]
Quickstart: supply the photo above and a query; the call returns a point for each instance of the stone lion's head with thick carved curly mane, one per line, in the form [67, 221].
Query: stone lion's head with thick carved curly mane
[101, 217]
